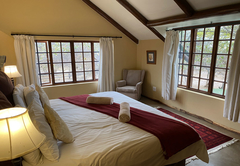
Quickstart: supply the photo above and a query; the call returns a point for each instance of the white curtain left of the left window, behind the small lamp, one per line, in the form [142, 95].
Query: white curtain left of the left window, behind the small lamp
[26, 61]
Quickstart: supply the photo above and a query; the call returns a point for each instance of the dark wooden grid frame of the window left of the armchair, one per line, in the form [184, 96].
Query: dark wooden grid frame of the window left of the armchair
[50, 63]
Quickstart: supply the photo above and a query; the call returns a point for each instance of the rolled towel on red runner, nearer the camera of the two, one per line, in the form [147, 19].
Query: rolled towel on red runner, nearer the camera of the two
[124, 112]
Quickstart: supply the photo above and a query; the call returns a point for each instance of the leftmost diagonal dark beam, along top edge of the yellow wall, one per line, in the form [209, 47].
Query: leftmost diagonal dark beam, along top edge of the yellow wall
[109, 19]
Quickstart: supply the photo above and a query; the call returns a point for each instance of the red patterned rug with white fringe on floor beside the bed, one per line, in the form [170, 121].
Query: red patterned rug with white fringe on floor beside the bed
[214, 140]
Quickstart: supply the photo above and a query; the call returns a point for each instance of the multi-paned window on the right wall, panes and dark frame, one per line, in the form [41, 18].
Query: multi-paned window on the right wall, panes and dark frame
[204, 58]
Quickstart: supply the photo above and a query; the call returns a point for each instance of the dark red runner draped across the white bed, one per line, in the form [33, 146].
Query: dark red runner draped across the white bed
[173, 135]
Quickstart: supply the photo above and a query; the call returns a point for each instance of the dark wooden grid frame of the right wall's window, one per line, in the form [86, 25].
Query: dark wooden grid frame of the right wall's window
[213, 60]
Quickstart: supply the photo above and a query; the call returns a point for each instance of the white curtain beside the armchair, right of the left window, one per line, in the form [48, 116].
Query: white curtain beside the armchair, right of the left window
[106, 68]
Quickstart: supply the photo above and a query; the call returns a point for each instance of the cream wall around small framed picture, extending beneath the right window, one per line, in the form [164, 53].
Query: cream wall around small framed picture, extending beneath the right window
[196, 103]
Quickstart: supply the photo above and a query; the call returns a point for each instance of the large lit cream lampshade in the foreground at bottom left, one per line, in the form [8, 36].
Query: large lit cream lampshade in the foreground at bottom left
[18, 135]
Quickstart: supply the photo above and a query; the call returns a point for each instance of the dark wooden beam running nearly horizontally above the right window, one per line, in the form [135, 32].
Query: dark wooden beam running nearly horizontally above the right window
[235, 8]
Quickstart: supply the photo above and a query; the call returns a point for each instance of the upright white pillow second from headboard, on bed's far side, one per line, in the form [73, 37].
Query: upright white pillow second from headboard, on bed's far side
[31, 94]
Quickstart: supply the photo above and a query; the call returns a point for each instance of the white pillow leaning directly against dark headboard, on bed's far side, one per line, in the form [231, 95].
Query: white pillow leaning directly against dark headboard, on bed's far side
[18, 96]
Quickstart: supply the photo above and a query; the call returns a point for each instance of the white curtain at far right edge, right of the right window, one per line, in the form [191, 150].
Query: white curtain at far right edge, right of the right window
[232, 98]
